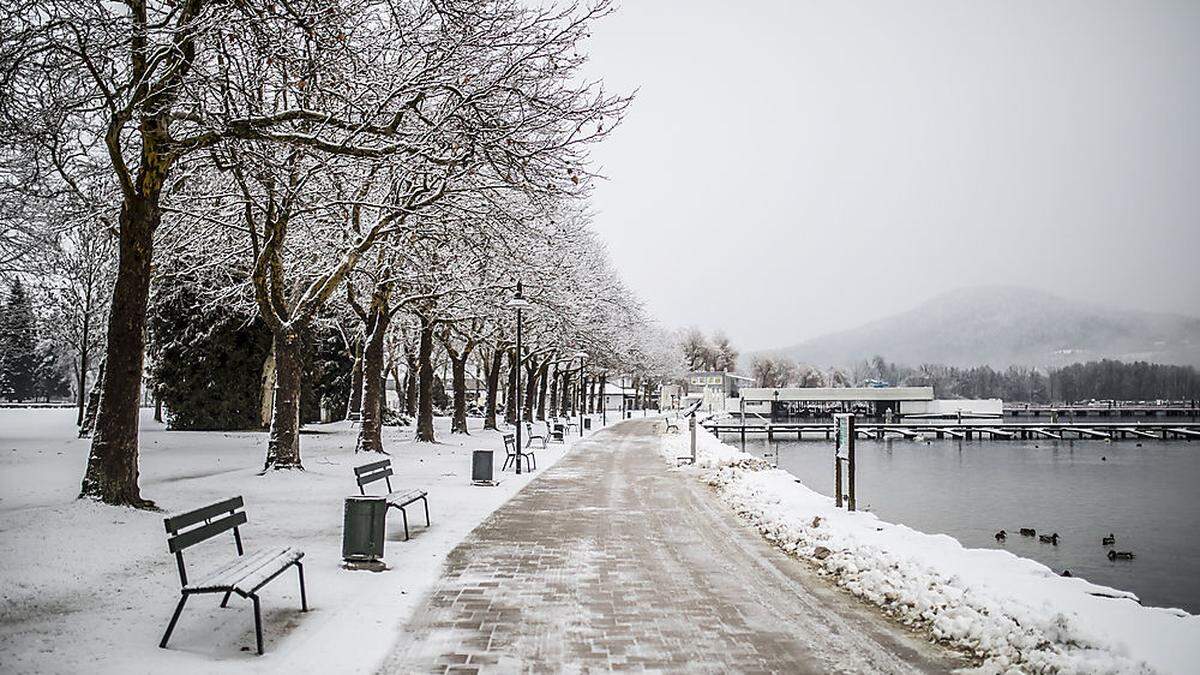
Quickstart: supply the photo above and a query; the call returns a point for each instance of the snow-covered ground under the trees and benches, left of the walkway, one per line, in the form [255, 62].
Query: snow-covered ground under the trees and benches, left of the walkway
[87, 588]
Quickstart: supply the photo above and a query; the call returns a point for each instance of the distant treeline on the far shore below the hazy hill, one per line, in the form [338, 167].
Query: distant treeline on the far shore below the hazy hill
[1102, 380]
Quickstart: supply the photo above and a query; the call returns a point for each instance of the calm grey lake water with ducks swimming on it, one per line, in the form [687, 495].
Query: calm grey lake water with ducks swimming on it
[1149, 497]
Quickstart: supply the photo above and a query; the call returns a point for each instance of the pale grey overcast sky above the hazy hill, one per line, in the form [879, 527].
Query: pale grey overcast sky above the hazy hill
[783, 156]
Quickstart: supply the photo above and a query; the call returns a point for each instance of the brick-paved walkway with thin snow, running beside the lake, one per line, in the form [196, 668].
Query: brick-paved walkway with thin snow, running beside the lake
[613, 561]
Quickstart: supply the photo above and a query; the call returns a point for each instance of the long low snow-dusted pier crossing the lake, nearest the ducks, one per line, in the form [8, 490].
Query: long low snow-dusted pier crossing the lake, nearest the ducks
[1005, 432]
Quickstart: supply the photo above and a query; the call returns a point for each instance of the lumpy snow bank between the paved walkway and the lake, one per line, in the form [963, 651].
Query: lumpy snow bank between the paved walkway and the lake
[1011, 613]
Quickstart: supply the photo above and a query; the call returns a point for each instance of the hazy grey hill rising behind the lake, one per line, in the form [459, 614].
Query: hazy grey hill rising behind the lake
[1006, 326]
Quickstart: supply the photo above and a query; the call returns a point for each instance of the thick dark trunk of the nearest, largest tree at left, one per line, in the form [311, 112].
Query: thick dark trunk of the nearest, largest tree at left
[112, 475]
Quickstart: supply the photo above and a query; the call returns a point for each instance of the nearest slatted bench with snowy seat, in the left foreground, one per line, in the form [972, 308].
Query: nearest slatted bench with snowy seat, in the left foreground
[243, 576]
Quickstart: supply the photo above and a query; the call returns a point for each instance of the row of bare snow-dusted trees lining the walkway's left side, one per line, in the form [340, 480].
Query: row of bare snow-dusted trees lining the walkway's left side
[383, 169]
